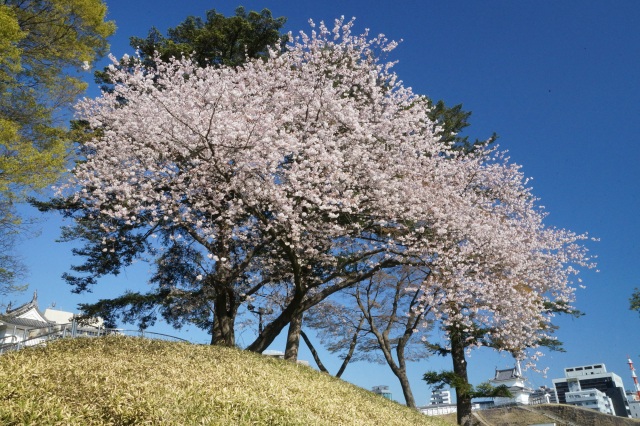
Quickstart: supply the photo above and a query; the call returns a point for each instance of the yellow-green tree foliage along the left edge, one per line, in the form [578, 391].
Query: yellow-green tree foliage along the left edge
[43, 46]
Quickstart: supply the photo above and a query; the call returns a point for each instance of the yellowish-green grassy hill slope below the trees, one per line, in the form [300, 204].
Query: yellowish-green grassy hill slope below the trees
[125, 380]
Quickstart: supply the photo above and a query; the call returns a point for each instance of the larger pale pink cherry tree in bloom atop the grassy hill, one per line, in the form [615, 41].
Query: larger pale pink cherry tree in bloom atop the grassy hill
[227, 165]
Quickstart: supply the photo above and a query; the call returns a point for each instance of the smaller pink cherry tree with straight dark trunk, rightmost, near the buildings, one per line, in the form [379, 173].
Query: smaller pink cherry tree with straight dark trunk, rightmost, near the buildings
[506, 274]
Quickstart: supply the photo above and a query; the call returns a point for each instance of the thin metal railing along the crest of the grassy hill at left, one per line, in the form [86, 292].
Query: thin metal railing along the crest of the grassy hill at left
[40, 336]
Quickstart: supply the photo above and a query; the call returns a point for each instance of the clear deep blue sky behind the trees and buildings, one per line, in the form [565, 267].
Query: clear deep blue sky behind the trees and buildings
[557, 80]
